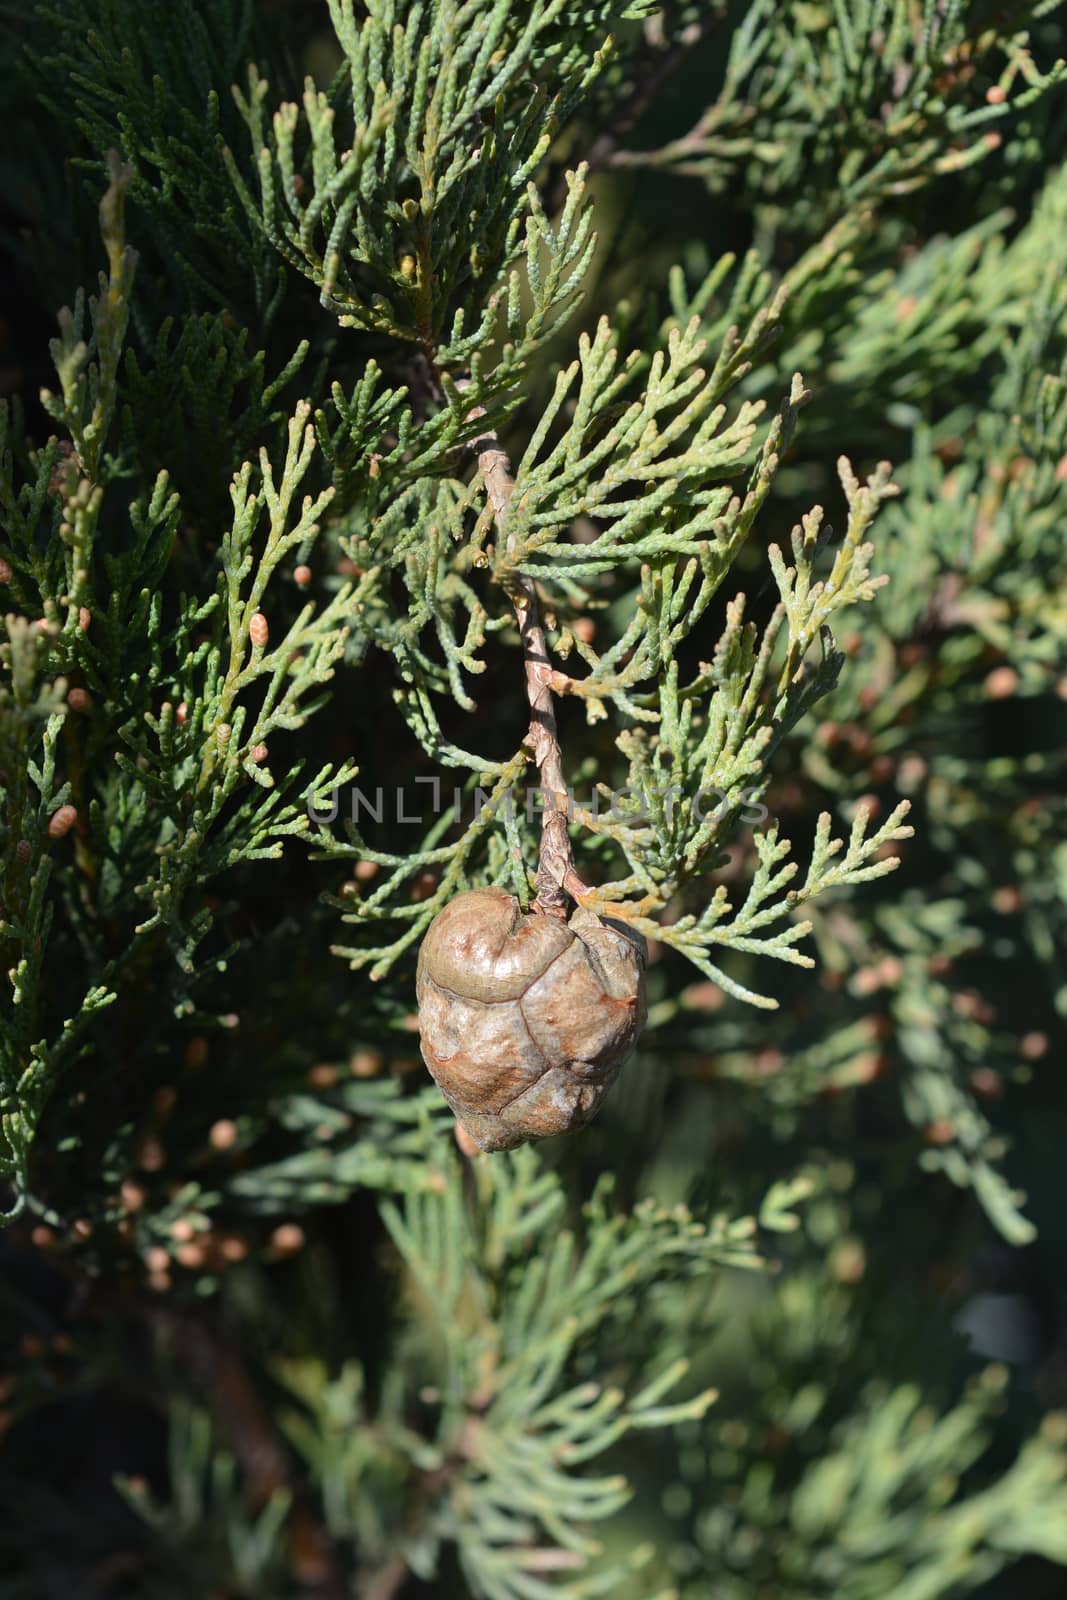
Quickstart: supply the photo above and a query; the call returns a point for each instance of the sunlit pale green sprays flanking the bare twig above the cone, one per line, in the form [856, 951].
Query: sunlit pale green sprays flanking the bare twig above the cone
[714, 734]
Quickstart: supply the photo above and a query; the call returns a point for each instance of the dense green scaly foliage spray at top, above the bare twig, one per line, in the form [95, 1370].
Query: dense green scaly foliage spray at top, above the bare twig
[410, 196]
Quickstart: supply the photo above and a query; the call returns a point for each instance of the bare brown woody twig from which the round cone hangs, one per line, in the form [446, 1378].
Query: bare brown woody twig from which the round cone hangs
[556, 874]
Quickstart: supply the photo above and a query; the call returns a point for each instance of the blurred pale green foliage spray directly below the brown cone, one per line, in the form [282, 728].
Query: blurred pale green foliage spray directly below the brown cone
[502, 1302]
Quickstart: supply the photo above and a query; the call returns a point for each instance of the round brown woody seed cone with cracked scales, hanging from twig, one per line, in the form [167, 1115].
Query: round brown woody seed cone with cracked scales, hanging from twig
[527, 1020]
